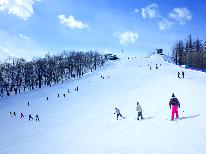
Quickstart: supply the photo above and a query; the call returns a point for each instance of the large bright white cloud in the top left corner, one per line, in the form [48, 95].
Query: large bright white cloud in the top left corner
[20, 8]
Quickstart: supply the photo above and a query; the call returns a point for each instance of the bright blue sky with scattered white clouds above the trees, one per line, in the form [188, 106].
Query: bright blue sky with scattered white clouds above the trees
[31, 28]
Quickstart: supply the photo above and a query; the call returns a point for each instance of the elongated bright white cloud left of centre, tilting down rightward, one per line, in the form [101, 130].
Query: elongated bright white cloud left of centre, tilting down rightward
[72, 22]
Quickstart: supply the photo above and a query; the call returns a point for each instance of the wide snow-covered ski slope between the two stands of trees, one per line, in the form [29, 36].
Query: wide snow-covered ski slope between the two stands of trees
[84, 122]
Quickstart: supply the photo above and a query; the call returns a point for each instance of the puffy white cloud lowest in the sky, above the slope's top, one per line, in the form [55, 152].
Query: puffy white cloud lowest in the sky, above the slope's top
[127, 37]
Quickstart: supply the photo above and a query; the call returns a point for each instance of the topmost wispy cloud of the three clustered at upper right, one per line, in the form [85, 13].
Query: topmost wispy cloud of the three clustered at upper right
[151, 11]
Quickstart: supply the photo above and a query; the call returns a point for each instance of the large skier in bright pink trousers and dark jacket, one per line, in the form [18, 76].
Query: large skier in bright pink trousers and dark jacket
[175, 104]
